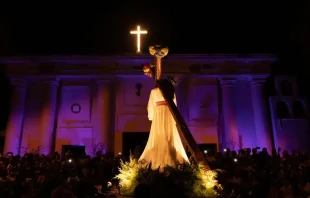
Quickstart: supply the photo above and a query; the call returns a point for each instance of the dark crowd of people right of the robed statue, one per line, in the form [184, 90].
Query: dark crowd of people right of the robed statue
[256, 173]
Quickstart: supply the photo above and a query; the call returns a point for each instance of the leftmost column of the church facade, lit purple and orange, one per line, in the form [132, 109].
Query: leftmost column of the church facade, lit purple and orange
[15, 122]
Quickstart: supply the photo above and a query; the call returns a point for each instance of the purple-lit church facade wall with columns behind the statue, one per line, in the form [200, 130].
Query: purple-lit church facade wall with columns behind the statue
[81, 111]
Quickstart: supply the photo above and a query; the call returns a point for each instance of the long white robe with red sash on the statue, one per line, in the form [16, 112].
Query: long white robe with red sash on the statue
[164, 146]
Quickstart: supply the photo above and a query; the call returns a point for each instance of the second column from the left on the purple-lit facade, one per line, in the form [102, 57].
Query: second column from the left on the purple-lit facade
[49, 116]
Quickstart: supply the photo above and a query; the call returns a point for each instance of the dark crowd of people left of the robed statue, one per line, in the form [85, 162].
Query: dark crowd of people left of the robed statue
[34, 175]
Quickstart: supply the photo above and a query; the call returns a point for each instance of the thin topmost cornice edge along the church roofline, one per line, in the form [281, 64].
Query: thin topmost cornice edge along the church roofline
[134, 58]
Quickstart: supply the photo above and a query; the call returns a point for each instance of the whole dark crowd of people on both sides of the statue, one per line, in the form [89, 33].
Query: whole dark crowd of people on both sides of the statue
[246, 173]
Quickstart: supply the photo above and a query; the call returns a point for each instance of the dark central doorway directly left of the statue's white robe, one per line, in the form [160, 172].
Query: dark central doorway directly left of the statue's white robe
[134, 142]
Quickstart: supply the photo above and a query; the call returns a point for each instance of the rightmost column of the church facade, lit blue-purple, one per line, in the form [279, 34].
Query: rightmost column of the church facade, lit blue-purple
[260, 113]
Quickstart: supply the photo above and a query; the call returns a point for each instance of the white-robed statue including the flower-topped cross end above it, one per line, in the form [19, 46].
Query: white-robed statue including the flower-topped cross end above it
[164, 146]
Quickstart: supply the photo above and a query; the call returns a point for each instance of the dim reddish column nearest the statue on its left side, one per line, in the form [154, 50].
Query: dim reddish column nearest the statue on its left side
[104, 133]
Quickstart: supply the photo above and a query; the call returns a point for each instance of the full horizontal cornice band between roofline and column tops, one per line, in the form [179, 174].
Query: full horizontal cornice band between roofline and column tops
[131, 64]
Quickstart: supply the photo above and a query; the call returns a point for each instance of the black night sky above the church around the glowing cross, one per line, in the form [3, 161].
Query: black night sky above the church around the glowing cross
[188, 27]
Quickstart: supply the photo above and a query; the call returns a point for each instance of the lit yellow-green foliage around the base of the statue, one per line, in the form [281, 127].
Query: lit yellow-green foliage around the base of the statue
[183, 181]
